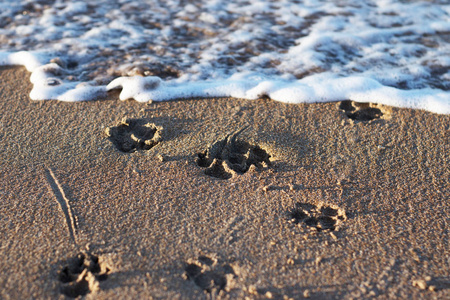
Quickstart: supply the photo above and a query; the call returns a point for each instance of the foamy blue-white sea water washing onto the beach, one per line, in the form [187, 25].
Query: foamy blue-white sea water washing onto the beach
[391, 52]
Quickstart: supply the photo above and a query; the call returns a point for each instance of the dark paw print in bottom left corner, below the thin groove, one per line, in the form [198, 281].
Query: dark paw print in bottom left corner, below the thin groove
[81, 275]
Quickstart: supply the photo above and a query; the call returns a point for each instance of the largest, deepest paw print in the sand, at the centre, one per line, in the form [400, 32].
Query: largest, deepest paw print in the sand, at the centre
[231, 156]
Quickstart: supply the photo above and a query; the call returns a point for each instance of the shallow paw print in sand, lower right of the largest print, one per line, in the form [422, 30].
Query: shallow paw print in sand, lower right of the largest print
[321, 217]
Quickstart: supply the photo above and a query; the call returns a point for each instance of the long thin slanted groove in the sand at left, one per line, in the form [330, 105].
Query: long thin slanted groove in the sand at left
[64, 203]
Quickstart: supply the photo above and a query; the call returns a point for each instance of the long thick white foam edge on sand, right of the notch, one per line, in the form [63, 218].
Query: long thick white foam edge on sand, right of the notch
[319, 89]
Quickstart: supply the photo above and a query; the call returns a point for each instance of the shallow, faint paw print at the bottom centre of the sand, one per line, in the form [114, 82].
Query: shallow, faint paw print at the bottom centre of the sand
[209, 275]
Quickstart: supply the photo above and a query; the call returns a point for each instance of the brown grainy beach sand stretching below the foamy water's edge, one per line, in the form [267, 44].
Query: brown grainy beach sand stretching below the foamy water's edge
[160, 227]
